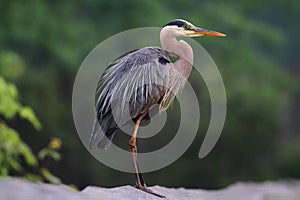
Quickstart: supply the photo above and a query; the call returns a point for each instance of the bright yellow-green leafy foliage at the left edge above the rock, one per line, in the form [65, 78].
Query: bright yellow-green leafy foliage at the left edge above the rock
[13, 150]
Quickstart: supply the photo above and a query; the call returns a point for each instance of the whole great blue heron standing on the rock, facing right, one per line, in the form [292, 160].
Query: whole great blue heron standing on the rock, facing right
[140, 80]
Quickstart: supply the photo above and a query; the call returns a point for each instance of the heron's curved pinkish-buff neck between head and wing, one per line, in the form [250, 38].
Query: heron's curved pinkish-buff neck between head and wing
[181, 48]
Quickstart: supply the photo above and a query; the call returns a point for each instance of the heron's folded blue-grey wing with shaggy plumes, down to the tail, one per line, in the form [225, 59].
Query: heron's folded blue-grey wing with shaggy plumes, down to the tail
[130, 87]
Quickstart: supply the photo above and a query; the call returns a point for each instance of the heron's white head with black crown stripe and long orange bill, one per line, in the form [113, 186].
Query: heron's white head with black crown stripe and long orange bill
[181, 27]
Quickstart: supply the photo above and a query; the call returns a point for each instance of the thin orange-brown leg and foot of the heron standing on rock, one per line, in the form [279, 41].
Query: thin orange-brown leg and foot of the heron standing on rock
[140, 183]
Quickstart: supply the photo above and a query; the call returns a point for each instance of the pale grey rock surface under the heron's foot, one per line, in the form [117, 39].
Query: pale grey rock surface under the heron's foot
[19, 189]
